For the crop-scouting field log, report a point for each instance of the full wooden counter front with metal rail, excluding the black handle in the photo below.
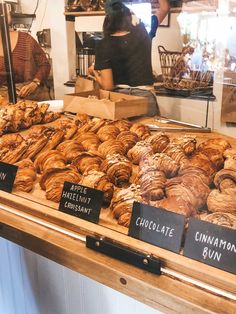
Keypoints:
(185, 285)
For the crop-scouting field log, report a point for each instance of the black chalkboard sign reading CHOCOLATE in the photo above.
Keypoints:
(157, 226)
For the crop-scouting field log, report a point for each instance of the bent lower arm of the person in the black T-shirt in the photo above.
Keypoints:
(103, 77)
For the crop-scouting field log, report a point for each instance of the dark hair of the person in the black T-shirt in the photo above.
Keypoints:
(119, 20)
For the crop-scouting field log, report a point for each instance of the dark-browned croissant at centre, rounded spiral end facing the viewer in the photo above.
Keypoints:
(118, 168)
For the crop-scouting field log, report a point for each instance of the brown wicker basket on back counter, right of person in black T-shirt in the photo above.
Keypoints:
(176, 73)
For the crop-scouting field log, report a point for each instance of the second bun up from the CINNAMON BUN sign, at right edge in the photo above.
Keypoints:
(221, 202)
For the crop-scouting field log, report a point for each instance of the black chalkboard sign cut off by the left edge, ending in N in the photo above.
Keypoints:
(7, 176)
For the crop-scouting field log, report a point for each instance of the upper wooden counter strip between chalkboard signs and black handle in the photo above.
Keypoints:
(194, 269)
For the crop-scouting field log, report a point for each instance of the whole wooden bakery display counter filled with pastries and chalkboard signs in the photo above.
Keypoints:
(143, 205)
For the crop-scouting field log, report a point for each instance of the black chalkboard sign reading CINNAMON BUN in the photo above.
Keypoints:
(211, 244)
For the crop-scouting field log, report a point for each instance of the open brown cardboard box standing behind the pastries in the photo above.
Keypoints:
(105, 104)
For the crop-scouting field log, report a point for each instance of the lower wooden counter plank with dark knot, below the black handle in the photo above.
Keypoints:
(160, 292)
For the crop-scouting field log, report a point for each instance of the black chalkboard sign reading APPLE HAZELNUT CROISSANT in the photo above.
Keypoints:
(81, 201)
